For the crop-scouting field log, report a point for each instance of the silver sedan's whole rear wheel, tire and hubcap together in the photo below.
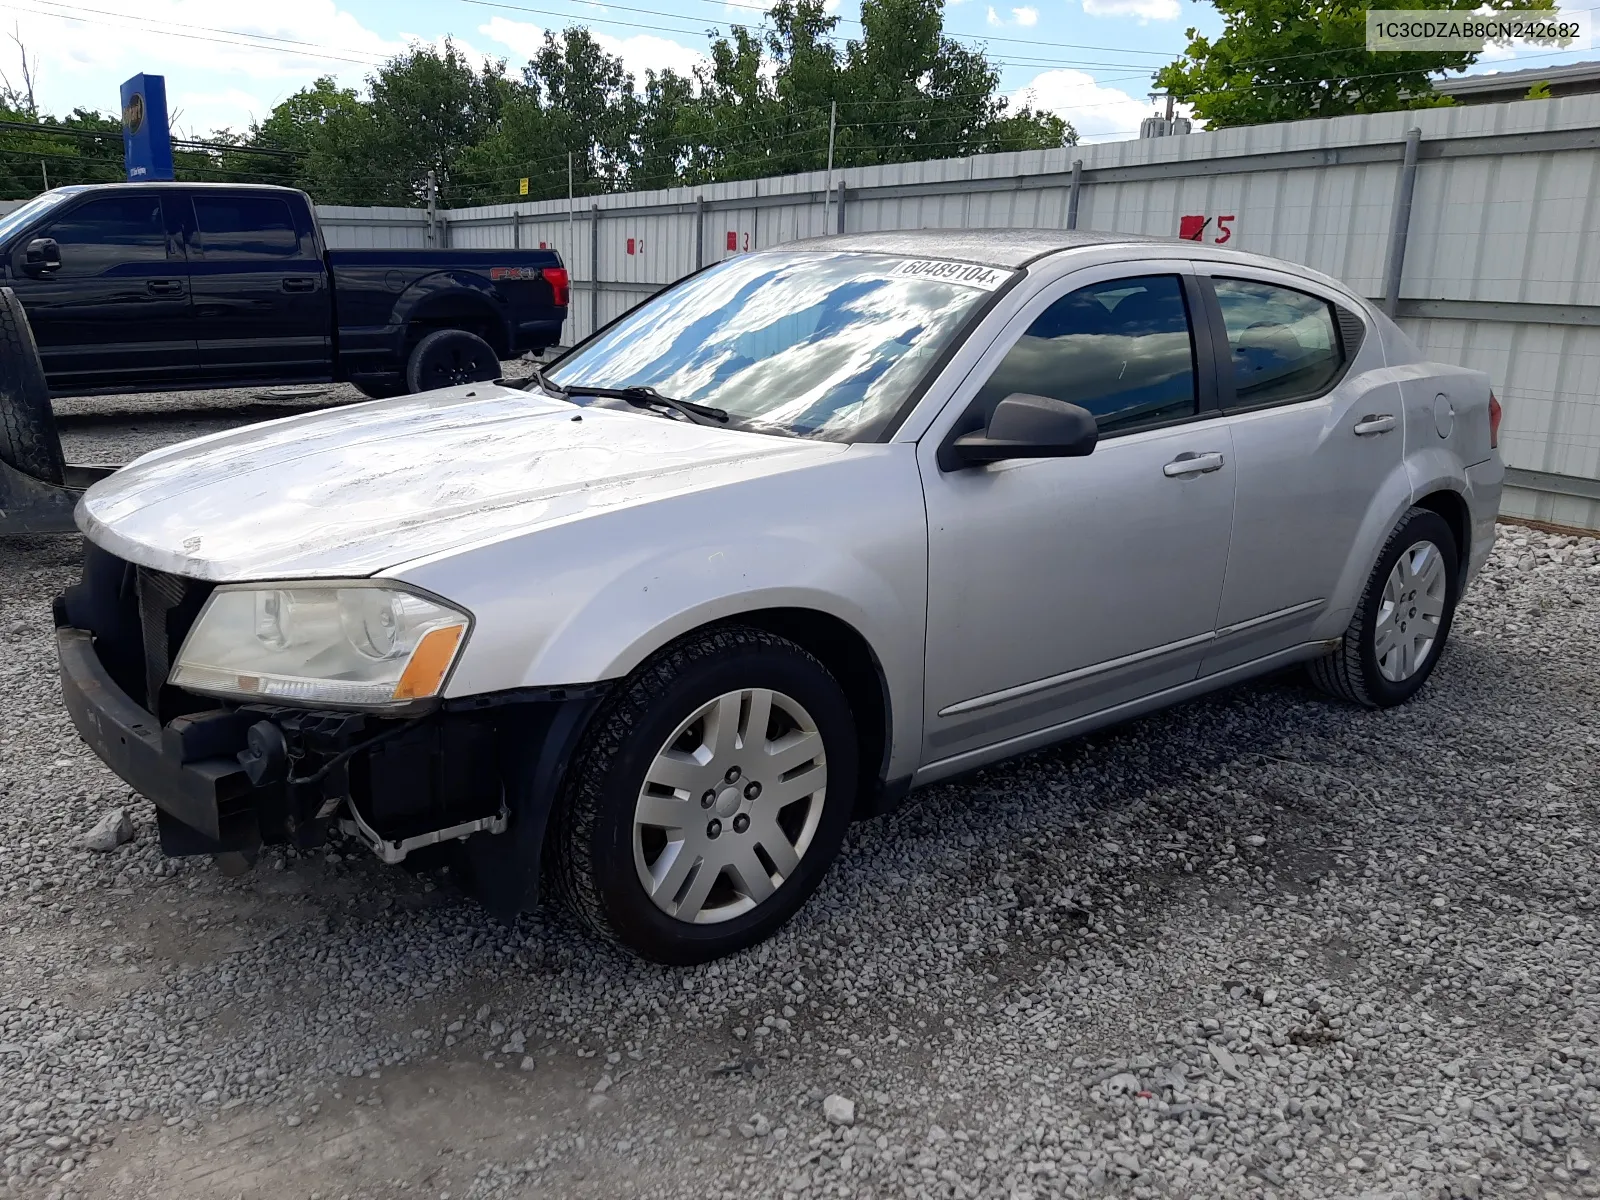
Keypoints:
(1399, 630)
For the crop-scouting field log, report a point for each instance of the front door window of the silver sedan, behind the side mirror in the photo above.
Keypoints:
(1122, 350)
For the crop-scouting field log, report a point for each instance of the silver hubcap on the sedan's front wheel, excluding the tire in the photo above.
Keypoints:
(730, 806)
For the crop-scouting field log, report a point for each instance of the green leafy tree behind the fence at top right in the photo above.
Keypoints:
(1294, 60)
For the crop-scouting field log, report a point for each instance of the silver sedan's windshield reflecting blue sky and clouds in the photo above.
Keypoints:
(807, 345)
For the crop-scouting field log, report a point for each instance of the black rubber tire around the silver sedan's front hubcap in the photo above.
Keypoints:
(593, 841)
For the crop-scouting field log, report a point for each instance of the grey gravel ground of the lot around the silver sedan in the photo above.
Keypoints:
(1260, 946)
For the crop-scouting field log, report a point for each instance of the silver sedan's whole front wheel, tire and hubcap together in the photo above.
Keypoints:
(710, 798)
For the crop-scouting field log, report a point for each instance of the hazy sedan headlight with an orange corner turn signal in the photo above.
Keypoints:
(370, 647)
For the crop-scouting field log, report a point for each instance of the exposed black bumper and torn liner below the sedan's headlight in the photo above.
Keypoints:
(479, 775)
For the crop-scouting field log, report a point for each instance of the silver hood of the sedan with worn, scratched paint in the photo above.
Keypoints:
(350, 492)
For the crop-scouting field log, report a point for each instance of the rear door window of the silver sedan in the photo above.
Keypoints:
(1284, 343)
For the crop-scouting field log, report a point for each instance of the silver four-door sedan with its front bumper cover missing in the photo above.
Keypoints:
(807, 530)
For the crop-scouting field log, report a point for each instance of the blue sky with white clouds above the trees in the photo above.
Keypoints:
(228, 63)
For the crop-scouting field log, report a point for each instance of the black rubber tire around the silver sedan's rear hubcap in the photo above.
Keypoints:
(1353, 673)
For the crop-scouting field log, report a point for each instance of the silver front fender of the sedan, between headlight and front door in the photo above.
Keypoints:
(591, 599)
